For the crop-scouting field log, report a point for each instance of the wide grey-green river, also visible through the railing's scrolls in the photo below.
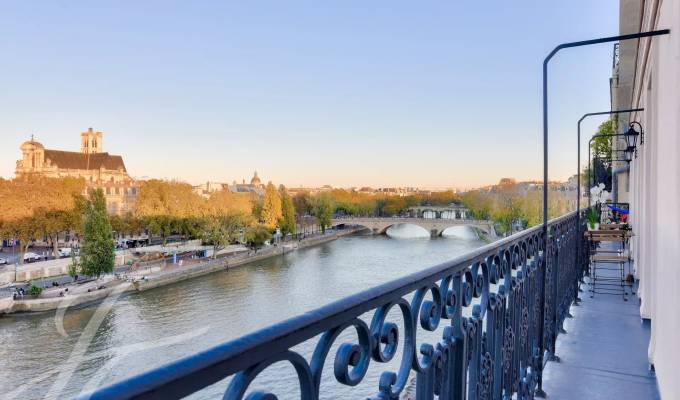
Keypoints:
(145, 330)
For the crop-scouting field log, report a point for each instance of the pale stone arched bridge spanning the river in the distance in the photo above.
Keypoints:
(435, 226)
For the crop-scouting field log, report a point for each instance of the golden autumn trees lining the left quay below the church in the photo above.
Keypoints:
(36, 208)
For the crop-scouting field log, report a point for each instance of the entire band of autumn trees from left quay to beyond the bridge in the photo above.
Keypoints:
(35, 207)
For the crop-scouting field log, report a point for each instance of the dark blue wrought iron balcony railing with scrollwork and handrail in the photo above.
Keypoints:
(499, 310)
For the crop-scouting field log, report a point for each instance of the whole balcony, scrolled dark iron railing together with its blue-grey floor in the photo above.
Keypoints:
(499, 322)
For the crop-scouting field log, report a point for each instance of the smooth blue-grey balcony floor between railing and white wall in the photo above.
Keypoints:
(603, 355)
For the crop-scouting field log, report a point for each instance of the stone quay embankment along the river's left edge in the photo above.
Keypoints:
(155, 276)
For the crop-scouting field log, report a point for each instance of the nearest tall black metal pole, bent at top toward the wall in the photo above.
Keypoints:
(545, 144)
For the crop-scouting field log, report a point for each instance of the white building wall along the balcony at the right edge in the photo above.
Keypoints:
(648, 76)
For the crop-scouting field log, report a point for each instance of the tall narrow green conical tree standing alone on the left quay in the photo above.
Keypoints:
(97, 254)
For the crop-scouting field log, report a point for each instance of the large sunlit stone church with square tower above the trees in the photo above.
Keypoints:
(98, 168)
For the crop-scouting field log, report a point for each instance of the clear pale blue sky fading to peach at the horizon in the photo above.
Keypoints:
(348, 93)
